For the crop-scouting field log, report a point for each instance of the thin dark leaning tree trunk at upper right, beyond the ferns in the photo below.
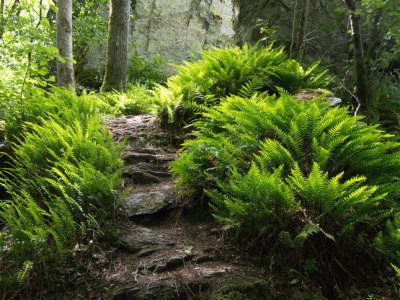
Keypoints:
(359, 59)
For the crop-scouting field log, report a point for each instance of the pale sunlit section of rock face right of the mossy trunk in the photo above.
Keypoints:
(177, 29)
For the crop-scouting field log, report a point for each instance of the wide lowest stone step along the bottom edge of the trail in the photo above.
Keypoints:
(211, 282)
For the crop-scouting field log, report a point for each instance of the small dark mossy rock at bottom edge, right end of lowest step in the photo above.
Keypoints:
(254, 289)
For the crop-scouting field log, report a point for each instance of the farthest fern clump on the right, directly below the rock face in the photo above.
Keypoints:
(232, 71)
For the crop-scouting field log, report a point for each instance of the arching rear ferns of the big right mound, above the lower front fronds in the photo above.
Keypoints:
(282, 132)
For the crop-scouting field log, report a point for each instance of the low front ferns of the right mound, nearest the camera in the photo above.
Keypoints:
(260, 199)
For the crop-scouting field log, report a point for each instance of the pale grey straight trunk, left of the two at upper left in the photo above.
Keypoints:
(65, 69)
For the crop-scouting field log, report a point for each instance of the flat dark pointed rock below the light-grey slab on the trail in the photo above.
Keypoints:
(143, 241)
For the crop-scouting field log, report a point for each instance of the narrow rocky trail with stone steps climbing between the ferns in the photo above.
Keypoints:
(165, 248)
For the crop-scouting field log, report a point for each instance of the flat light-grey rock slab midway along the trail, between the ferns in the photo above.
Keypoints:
(146, 203)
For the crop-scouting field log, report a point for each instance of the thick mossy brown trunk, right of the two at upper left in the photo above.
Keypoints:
(117, 48)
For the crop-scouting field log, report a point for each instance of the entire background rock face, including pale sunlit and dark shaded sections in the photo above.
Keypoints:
(178, 29)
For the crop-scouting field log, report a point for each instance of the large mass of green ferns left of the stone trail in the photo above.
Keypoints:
(62, 180)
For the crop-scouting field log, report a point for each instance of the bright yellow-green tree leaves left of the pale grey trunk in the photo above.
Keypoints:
(25, 59)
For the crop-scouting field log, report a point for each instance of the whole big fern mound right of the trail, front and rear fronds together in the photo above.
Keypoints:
(275, 165)
